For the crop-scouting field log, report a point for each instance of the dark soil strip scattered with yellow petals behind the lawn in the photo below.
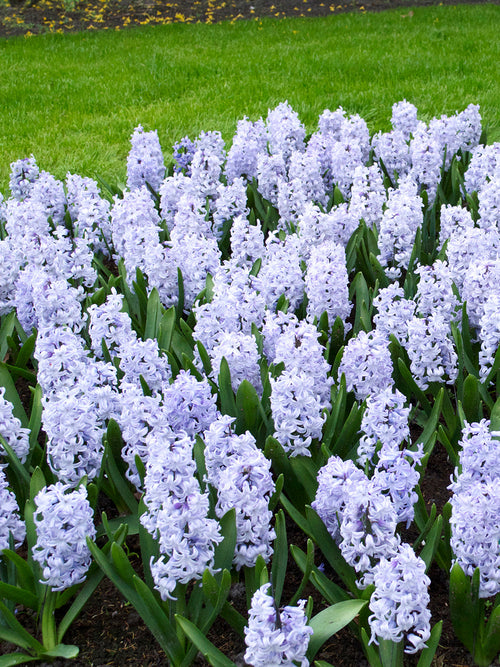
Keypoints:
(31, 17)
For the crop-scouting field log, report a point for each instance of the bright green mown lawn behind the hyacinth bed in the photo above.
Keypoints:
(74, 100)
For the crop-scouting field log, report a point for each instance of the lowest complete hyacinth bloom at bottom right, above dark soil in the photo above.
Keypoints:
(399, 603)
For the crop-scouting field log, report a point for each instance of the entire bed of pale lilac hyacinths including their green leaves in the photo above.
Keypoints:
(284, 328)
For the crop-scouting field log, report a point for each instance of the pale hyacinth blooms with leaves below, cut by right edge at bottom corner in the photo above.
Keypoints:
(475, 542)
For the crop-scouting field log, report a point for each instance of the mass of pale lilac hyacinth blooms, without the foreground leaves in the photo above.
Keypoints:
(267, 275)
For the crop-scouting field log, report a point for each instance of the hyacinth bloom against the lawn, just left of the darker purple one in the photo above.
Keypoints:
(145, 160)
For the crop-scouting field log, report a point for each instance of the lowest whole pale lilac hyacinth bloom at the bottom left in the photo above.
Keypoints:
(63, 520)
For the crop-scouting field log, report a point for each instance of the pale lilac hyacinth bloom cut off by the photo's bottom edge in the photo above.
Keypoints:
(270, 644)
